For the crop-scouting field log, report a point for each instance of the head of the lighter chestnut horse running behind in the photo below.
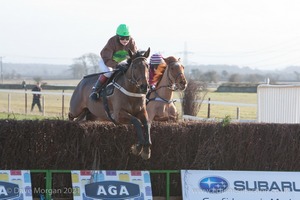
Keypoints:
(176, 73)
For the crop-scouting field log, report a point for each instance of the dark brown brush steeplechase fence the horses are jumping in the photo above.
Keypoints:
(49, 145)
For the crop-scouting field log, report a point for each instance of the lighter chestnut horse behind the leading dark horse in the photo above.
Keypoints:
(169, 77)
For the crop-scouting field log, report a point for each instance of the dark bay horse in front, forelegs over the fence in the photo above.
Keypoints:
(126, 104)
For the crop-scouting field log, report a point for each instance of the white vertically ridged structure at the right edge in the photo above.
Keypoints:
(278, 103)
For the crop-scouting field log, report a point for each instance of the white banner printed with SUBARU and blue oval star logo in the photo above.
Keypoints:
(240, 185)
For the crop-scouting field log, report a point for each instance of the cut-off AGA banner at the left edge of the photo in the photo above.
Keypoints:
(15, 185)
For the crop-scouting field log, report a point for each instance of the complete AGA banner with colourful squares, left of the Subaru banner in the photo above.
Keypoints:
(90, 185)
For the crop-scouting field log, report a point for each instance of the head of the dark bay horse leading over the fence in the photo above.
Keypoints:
(138, 71)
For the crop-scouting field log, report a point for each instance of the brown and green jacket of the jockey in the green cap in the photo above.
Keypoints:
(114, 52)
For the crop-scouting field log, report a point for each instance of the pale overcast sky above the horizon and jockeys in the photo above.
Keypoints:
(263, 34)
